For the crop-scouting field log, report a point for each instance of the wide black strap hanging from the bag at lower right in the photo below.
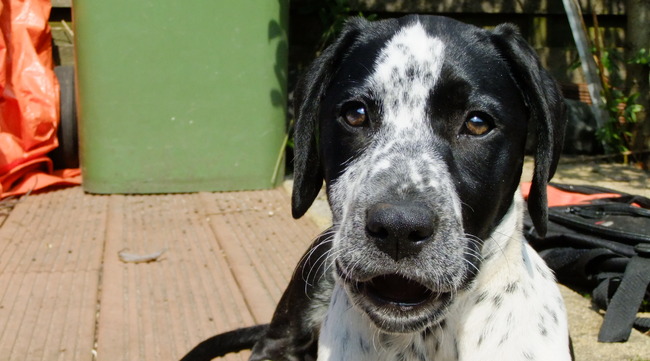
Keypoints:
(624, 305)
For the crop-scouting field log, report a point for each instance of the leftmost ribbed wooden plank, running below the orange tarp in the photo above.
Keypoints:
(50, 257)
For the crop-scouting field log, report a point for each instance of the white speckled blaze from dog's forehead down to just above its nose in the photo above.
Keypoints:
(401, 156)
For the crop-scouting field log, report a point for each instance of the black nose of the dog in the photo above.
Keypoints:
(400, 229)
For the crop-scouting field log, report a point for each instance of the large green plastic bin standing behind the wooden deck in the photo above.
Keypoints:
(180, 96)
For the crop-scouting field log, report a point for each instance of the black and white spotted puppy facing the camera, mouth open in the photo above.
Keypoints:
(418, 126)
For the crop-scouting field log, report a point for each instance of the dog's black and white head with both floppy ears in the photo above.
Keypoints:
(418, 127)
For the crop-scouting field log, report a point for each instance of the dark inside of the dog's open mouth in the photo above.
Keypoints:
(398, 289)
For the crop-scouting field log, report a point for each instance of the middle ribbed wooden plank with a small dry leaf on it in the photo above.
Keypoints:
(159, 310)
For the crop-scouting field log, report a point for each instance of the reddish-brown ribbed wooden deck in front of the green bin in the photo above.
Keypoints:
(65, 294)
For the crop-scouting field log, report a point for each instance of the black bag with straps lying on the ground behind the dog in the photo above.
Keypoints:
(601, 247)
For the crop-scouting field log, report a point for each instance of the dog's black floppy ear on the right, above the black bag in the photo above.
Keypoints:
(546, 111)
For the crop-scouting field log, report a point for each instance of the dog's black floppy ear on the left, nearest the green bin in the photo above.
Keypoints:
(308, 173)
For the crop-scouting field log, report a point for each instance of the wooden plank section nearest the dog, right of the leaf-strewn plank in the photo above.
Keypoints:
(261, 241)
